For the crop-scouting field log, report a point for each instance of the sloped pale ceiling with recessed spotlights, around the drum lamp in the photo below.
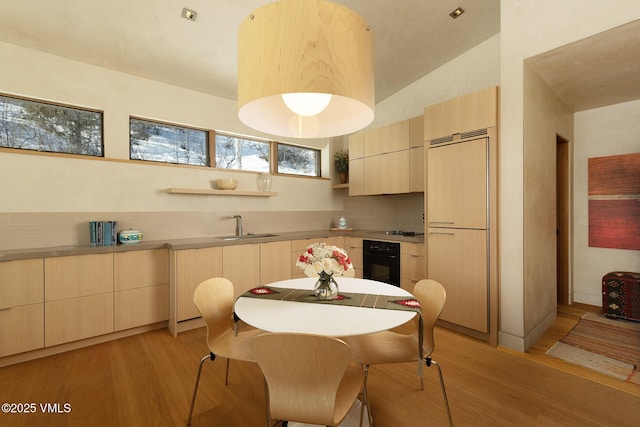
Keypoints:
(150, 39)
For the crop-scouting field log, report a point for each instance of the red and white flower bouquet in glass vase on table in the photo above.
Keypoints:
(324, 261)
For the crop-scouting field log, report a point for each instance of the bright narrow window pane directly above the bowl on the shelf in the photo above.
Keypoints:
(242, 154)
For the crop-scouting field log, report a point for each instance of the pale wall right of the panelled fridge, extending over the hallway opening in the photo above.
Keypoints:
(527, 29)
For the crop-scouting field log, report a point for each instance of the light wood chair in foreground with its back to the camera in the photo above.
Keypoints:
(308, 378)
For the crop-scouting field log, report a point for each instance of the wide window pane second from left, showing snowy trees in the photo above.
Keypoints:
(158, 142)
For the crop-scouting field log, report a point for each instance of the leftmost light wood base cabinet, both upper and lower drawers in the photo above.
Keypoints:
(21, 306)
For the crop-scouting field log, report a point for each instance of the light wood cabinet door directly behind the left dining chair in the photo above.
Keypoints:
(190, 268)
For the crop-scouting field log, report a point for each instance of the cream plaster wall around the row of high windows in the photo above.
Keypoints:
(49, 184)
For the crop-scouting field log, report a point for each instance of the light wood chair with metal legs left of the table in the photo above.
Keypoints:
(214, 299)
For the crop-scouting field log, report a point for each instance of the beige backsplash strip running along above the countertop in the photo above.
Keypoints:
(38, 230)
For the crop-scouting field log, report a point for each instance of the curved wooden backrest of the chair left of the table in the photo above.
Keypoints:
(214, 300)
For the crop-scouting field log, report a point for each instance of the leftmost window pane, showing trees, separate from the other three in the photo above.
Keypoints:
(31, 125)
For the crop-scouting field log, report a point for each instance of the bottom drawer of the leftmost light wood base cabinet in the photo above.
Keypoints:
(21, 329)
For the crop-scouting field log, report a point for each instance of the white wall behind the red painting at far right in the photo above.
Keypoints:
(599, 132)
